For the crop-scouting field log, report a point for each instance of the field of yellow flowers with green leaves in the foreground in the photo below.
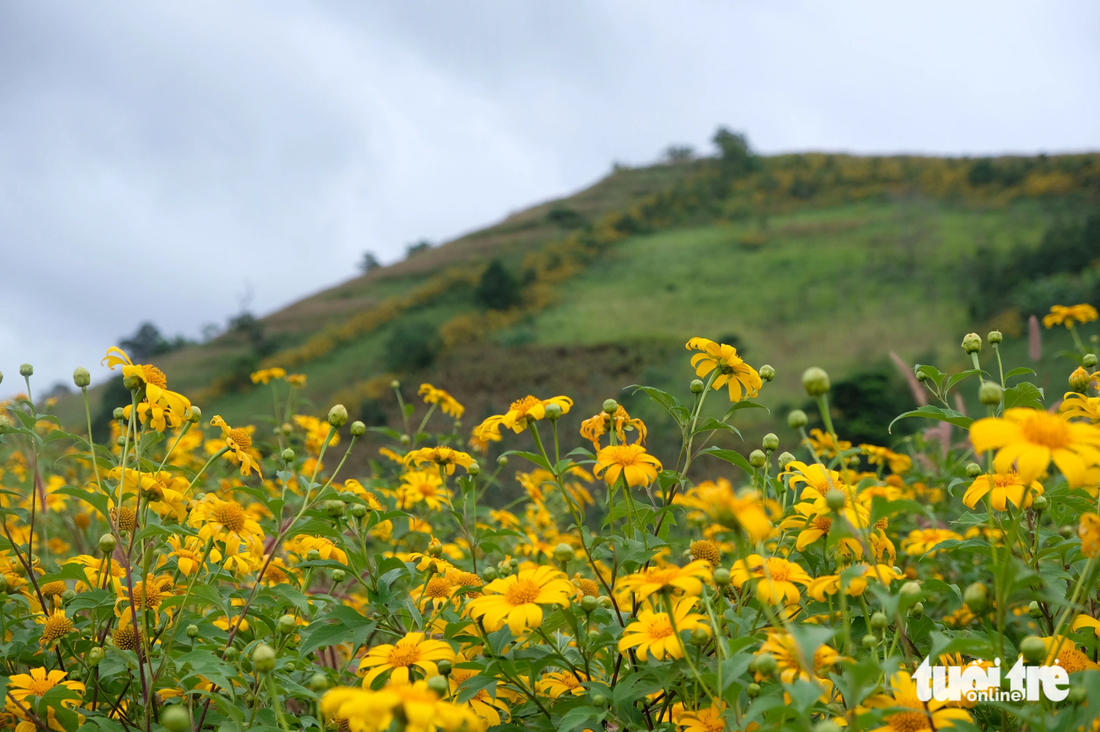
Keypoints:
(194, 575)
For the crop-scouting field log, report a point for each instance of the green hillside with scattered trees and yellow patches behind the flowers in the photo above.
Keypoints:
(799, 260)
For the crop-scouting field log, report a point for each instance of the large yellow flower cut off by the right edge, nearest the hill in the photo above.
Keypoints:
(1031, 439)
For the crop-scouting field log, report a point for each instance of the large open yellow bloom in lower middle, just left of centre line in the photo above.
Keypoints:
(516, 599)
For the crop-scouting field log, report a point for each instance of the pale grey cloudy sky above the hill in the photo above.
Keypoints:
(173, 162)
